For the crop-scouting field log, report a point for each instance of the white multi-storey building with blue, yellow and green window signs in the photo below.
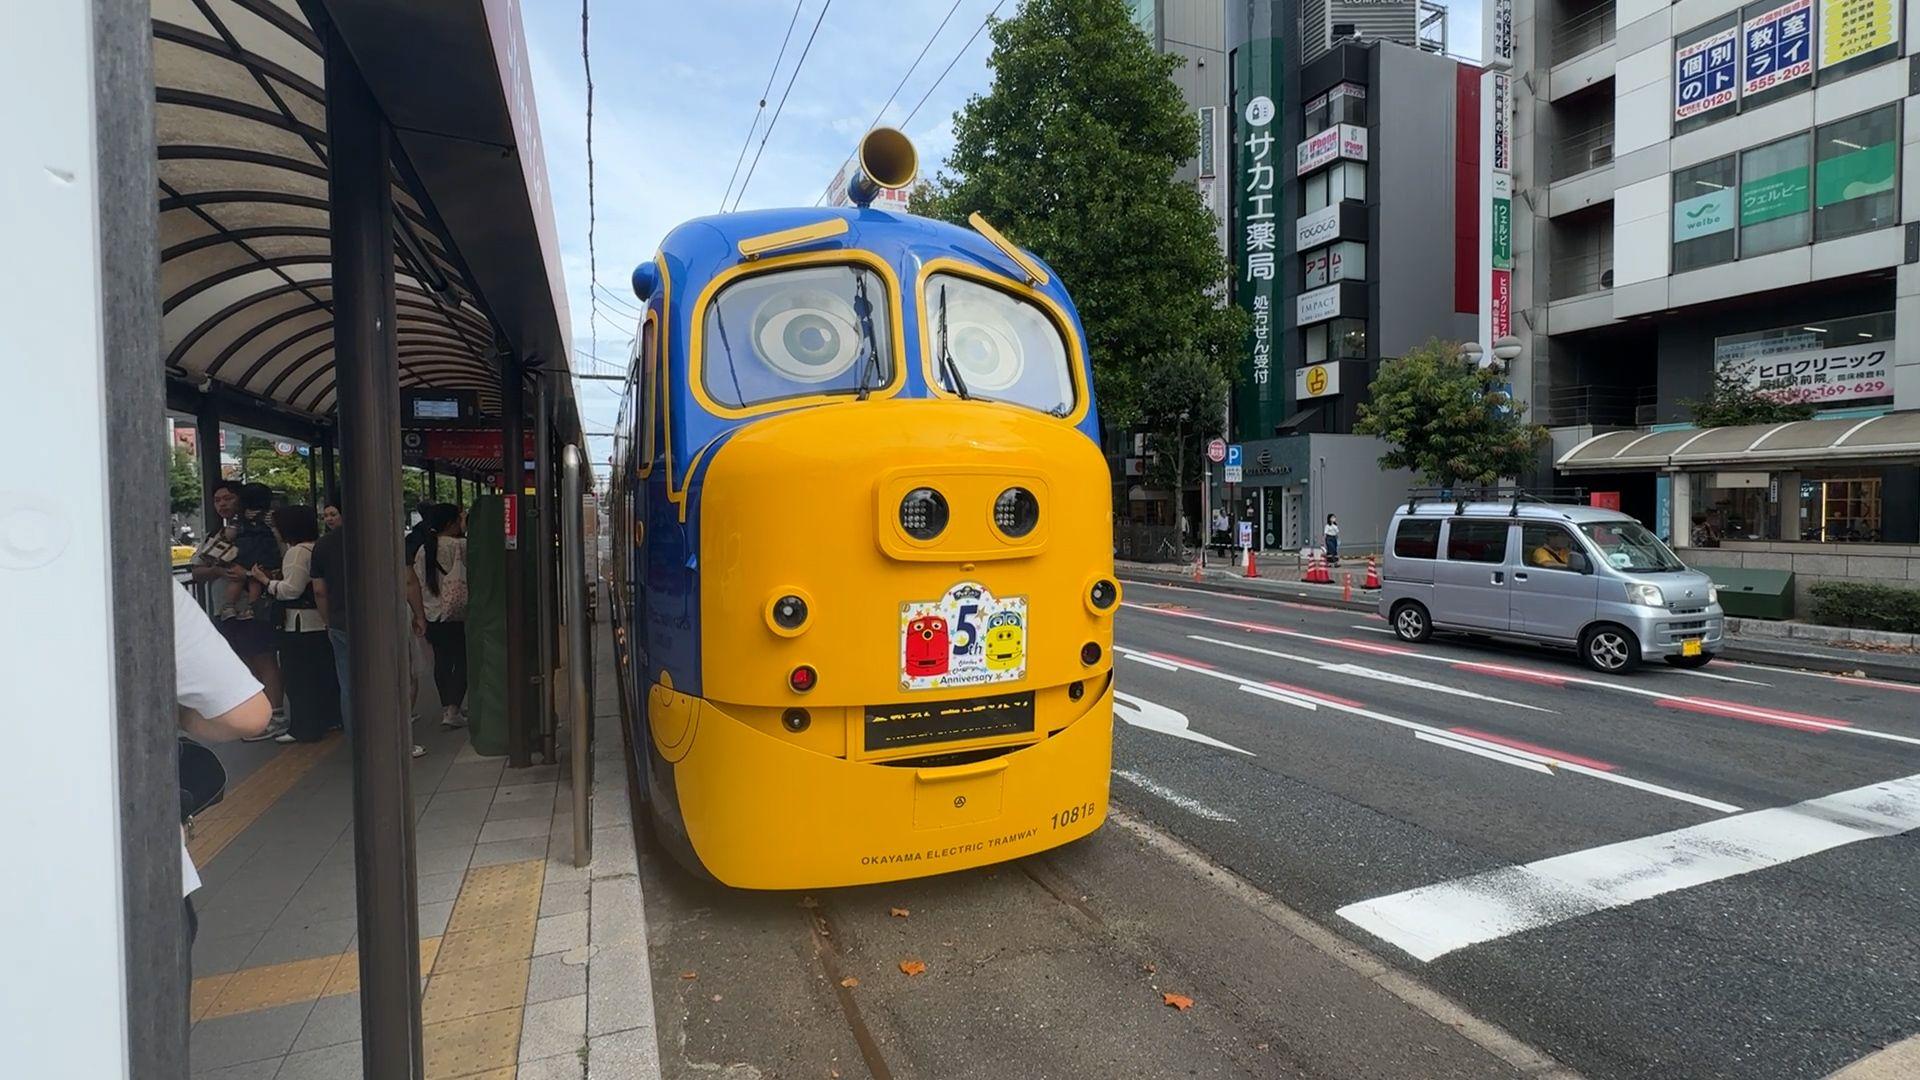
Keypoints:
(1727, 191)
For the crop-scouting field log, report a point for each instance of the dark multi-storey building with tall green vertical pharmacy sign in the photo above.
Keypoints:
(1353, 239)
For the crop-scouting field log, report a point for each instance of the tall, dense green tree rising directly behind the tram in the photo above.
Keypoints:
(1072, 153)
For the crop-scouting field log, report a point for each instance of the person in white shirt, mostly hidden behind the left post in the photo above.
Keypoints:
(220, 702)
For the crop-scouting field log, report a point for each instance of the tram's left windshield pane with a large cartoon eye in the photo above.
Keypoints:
(798, 333)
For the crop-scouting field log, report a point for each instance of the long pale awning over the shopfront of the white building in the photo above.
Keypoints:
(1800, 443)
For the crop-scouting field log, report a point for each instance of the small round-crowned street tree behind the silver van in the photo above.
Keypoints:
(1449, 420)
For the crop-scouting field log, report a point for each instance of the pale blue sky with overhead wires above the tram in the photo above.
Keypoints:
(679, 84)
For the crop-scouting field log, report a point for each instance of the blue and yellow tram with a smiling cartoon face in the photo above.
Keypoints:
(867, 597)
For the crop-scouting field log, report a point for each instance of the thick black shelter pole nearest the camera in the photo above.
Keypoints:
(368, 370)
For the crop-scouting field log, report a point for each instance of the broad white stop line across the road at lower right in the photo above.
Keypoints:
(1433, 921)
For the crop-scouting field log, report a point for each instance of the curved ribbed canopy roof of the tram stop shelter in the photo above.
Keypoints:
(247, 278)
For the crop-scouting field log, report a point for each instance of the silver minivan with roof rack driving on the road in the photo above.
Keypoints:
(1564, 576)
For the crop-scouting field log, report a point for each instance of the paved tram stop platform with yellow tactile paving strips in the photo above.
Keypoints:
(531, 966)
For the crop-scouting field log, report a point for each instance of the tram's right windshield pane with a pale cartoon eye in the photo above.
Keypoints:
(996, 347)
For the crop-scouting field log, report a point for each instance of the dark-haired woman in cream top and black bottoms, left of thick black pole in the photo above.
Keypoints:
(306, 656)
